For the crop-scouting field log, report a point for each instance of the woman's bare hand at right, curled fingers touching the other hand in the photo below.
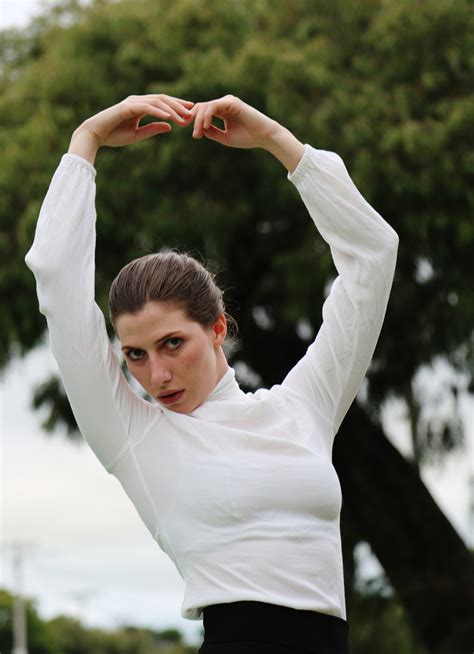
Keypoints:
(244, 126)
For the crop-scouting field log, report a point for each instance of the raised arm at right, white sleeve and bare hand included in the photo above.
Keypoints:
(362, 244)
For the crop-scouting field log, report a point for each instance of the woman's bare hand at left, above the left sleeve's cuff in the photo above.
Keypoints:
(120, 124)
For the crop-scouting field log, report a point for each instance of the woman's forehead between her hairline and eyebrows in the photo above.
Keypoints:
(154, 321)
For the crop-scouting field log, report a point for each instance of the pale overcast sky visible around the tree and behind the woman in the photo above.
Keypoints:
(88, 553)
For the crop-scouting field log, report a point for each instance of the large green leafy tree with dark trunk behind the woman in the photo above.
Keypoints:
(388, 85)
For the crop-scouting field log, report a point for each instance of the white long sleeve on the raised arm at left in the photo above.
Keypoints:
(62, 260)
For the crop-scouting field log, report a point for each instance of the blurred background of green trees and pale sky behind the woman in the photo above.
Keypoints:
(388, 84)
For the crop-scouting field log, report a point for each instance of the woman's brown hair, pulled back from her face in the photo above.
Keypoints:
(173, 277)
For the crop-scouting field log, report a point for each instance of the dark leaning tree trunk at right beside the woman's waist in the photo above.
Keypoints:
(426, 561)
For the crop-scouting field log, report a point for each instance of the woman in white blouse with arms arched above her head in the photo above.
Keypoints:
(238, 489)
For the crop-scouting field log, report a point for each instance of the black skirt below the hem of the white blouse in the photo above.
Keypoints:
(261, 628)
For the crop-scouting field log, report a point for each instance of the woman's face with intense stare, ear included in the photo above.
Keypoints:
(175, 359)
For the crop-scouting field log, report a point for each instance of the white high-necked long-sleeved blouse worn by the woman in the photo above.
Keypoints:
(241, 494)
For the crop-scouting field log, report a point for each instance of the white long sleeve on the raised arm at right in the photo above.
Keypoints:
(364, 248)
